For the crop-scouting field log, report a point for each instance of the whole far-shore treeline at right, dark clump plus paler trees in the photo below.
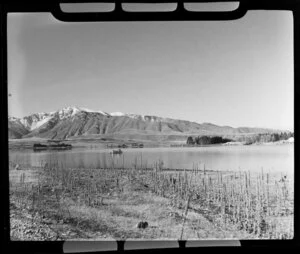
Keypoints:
(249, 139)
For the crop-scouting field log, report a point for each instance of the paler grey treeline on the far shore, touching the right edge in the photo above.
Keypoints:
(265, 137)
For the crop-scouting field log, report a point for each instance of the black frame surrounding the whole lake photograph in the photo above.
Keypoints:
(180, 14)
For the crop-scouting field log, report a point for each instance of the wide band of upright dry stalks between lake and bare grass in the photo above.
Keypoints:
(251, 202)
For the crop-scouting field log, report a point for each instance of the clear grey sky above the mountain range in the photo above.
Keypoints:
(236, 73)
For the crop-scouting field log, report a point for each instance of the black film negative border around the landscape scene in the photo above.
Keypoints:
(118, 15)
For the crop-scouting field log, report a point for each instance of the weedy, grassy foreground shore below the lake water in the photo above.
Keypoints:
(53, 202)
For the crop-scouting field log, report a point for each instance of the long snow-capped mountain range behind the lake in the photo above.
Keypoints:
(81, 122)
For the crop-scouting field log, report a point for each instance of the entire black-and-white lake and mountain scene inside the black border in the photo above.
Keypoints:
(164, 130)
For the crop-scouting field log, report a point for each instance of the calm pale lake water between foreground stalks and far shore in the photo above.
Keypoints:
(279, 158)
